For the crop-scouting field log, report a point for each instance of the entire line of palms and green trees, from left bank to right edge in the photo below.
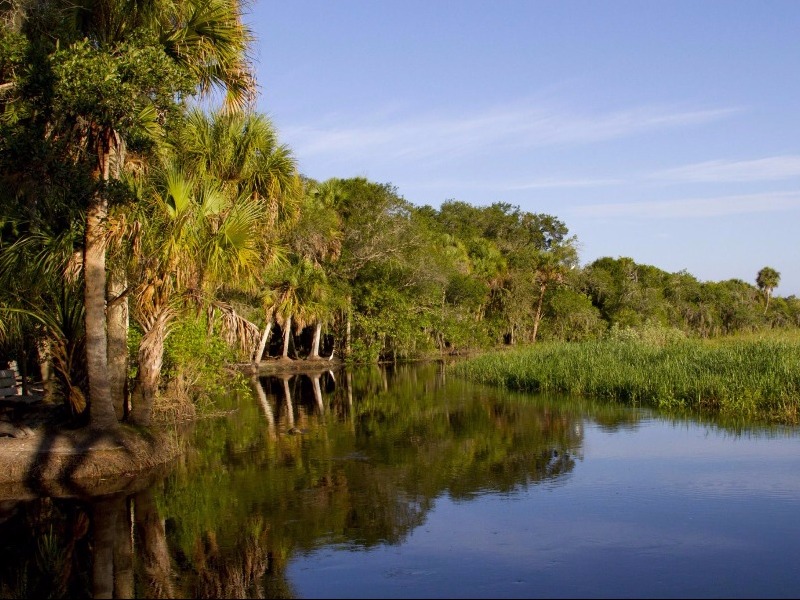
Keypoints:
(132, 219)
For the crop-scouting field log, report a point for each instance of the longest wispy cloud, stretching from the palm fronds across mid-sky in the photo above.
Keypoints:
(412, 138)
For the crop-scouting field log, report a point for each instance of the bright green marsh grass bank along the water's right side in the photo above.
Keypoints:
(755, 377)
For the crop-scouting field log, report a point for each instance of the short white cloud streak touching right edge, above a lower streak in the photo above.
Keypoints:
(720, 171)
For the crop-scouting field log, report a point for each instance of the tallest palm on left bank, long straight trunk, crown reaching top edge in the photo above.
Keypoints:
(117, 68)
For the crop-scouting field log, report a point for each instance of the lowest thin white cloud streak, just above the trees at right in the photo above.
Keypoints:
(695, 207)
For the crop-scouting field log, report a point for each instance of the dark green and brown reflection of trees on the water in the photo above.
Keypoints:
(356, 459)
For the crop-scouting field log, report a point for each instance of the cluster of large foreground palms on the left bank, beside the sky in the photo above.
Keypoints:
(123, 199)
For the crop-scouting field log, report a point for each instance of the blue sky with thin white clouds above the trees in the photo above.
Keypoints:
(667, 132)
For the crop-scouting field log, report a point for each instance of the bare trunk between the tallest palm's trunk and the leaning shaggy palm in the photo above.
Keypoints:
(118, 321)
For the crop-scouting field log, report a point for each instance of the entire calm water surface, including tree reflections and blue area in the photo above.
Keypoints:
(406, 482)
